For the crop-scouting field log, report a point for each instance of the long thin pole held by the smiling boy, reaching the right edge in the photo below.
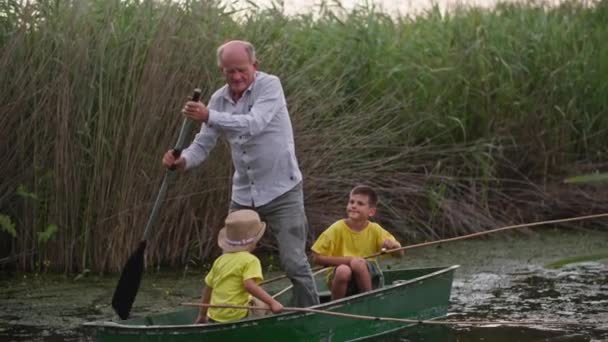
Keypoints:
(424, 244)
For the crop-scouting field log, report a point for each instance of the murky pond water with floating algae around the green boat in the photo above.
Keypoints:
(503, 278)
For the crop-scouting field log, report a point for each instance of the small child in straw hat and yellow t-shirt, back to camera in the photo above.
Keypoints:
(234, 276)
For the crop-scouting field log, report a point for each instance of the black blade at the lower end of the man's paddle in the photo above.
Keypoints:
(129, 281)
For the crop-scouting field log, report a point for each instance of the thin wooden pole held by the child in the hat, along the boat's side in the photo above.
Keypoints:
(389, 319)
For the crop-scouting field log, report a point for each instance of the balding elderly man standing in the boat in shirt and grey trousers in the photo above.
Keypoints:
(251, 112)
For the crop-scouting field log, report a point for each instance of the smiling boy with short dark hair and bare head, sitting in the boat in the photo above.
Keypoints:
(346, 242)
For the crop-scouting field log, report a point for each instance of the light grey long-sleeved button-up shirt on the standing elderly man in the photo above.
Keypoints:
(259, 131)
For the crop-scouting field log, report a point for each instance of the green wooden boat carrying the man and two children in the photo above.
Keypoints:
(420, 294)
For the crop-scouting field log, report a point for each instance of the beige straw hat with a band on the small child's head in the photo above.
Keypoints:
(242, 229)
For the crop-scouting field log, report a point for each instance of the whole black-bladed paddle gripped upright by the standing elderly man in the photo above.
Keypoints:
(130, 278)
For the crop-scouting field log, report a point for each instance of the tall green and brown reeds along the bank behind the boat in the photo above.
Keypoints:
(463, 121)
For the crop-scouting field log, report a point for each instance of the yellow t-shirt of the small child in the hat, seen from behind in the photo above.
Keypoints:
(226, 279)
